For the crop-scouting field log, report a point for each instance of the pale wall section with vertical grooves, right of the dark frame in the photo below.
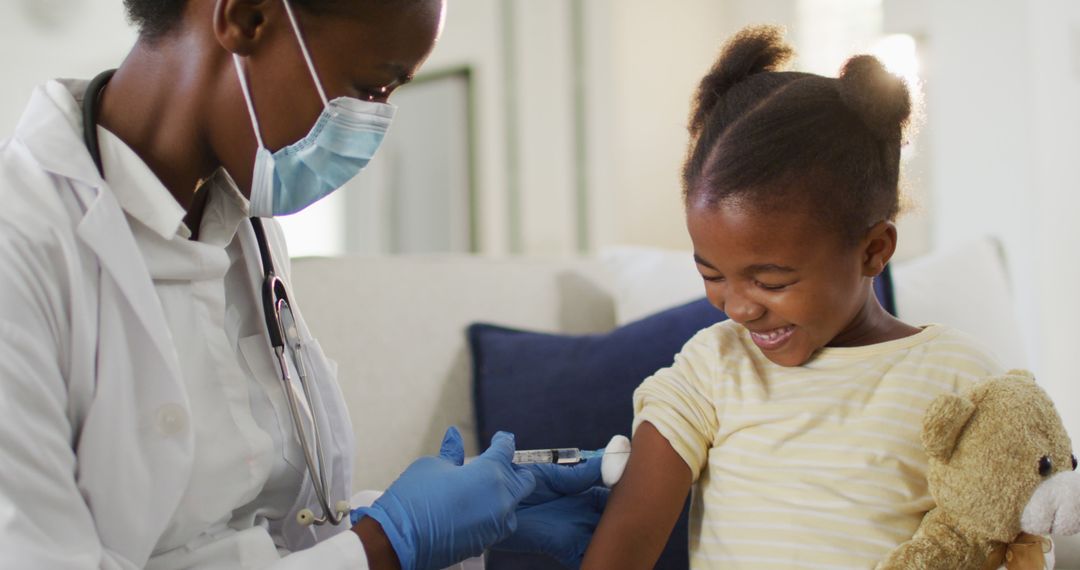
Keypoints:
(520, 52)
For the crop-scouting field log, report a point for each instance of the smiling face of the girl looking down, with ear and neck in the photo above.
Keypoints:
(795, 286)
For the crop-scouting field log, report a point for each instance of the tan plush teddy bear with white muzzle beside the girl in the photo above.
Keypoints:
(1003, 474)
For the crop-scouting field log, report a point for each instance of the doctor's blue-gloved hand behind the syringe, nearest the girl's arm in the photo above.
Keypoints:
(560, 518)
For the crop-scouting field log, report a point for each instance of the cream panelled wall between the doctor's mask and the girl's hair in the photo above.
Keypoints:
(640, 71)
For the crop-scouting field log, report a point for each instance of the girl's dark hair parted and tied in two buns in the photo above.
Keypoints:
(774, 139)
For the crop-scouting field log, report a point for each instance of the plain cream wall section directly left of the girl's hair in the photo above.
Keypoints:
(640, 90)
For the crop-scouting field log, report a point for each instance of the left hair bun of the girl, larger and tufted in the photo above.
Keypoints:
(754, 50)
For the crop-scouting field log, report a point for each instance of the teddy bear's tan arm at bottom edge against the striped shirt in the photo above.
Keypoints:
(936, 546)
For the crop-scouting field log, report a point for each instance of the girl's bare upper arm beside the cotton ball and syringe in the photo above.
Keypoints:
(644, 506)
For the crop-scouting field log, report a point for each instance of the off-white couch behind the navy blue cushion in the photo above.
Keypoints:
(396, 325)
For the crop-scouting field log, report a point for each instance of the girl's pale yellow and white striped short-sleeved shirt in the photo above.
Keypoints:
(818, 466)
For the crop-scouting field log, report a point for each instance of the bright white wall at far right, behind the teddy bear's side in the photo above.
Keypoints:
(1004, 91)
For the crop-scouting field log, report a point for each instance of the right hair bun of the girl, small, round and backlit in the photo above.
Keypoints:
(879, 98)
